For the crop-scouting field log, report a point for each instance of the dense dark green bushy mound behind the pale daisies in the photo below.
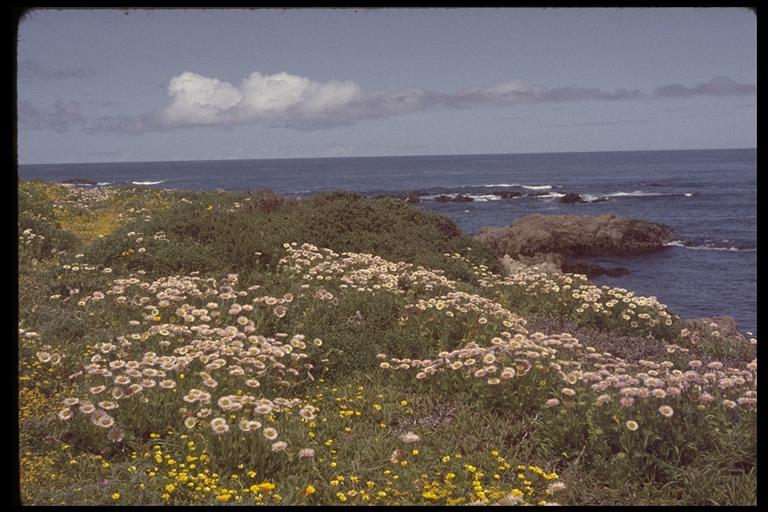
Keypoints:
(244, 232)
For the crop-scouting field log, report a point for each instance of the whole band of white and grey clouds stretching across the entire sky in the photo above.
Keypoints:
(300, 103)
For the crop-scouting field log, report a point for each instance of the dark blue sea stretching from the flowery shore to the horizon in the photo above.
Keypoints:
(708, 197)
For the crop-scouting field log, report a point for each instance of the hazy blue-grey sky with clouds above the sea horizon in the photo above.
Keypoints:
(101, 85)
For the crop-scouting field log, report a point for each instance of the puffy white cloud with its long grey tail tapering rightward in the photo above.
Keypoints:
(301, 103)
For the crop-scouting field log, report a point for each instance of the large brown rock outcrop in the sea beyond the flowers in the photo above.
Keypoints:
(576, 235)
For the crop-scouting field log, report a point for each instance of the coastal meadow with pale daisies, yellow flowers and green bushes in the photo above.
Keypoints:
(205, 348)
